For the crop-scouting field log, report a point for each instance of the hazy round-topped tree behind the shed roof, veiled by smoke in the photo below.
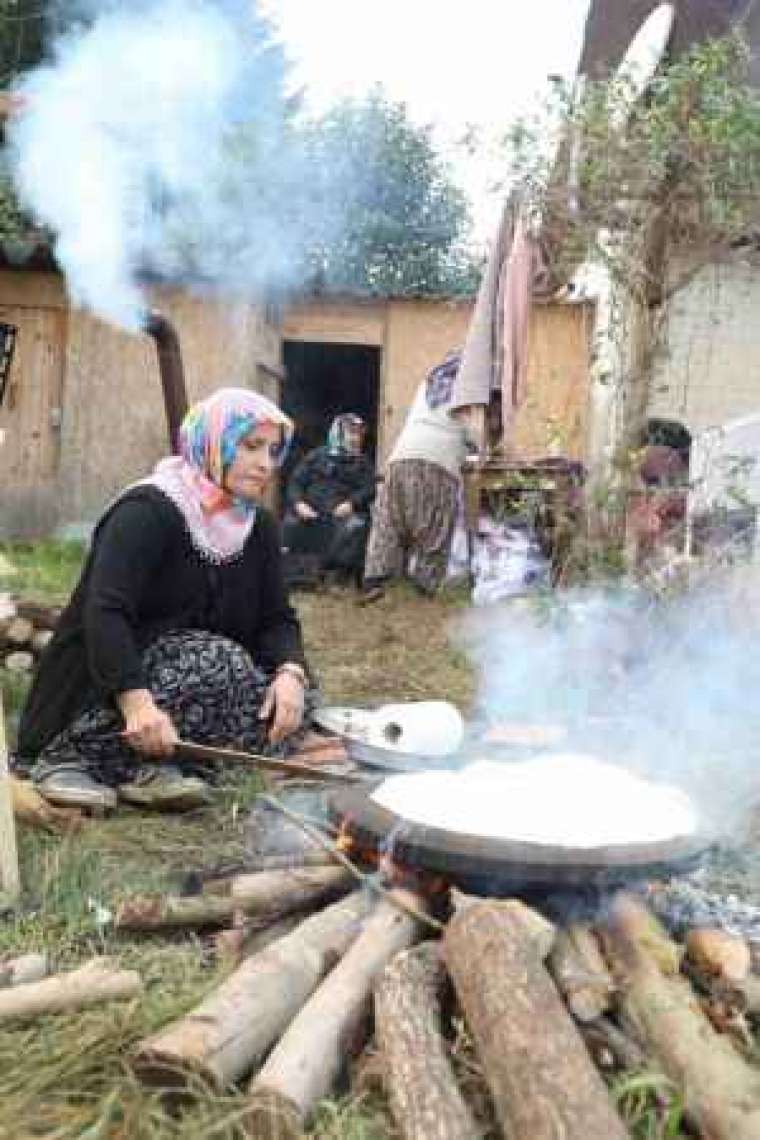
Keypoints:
(404, 223)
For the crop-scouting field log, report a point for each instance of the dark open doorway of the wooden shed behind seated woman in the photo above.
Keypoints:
(322, 381)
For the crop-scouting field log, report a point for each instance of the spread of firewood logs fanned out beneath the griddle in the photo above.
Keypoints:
(551, 1012)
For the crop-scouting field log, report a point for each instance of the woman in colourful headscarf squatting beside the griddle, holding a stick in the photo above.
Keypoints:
(179, 628)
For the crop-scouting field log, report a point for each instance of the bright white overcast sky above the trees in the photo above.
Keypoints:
(480, 63)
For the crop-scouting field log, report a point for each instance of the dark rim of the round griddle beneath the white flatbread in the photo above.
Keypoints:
(497, 866)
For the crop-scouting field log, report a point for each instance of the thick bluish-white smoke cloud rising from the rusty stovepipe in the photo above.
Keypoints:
(159, 140)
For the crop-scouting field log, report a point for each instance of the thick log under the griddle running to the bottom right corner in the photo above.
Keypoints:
(722, 1093)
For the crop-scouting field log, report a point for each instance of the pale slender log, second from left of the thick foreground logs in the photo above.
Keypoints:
(308, 1061)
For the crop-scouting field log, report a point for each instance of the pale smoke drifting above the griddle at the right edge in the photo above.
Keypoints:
(668, 690)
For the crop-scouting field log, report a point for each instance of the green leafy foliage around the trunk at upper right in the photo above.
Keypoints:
(679, 170)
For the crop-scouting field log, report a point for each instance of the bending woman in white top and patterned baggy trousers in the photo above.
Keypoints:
(416, 509)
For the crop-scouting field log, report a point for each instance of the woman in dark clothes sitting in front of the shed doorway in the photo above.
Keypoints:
(329, 501)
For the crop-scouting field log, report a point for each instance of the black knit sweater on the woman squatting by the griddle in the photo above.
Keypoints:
(144, 579)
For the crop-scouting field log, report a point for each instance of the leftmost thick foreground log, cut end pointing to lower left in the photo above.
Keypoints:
(234, 1028)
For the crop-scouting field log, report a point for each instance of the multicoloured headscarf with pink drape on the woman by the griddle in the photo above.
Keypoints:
(194, 481)
